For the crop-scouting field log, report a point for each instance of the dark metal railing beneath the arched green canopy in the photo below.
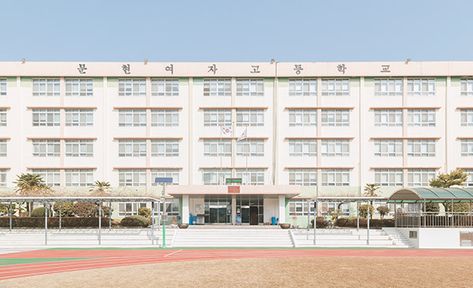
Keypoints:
(432, 219)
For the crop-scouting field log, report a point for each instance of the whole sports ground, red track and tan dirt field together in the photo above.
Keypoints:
(236, 268)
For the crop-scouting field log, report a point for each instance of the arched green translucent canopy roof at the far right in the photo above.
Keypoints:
(432, 194)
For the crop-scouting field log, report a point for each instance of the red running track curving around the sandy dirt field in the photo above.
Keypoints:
(113, 258)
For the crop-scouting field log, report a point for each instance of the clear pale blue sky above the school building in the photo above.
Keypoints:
(238, 30)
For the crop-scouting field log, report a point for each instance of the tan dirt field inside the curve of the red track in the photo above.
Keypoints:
(275, 272)
